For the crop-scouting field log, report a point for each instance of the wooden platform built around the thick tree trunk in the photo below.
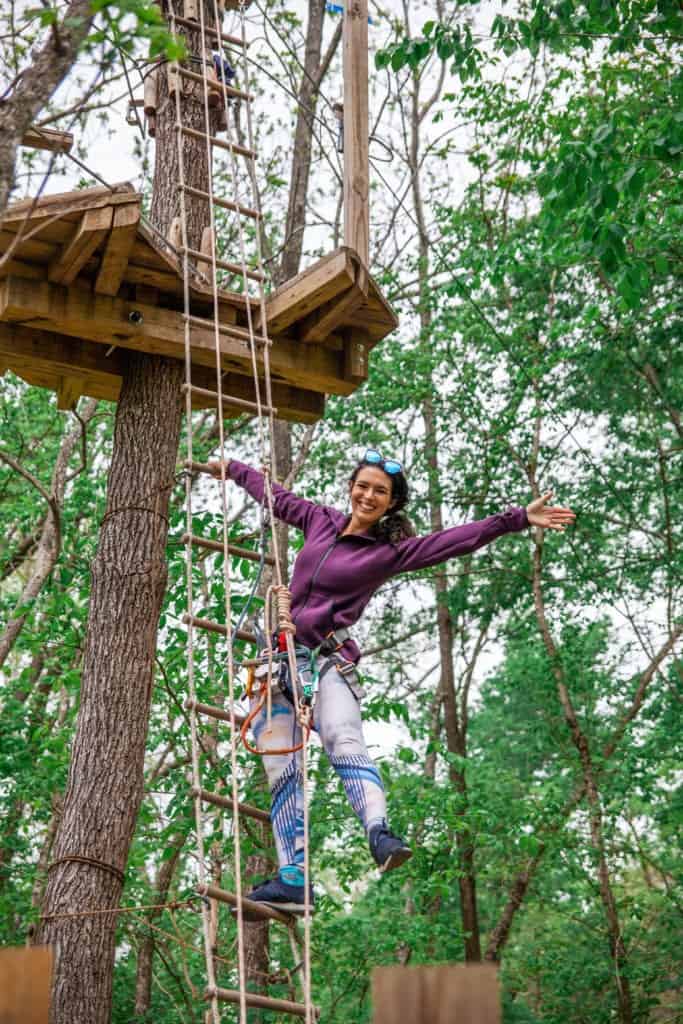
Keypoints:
(87, 279)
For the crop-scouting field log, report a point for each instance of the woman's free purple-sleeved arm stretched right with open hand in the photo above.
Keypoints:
(421, 552)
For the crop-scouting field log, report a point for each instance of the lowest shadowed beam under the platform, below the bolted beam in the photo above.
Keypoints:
(47, 360)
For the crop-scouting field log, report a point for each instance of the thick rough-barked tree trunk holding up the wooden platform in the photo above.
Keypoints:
(106, 779)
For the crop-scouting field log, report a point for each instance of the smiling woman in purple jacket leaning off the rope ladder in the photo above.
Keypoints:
(345, 561)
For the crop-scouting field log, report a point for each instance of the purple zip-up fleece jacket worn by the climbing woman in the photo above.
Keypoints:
(335, 577)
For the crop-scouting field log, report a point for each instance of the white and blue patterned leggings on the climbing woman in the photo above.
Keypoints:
(337, 720)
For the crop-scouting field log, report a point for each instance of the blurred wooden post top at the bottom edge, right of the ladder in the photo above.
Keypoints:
(446, 995)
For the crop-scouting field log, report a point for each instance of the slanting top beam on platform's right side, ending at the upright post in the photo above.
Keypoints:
(319, 284)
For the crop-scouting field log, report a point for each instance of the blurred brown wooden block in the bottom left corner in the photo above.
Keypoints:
(26, 974)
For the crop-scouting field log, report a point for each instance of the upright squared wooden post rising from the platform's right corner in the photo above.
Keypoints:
(357, 130)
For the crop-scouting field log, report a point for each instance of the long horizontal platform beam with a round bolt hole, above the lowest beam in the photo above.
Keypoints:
(104, 319)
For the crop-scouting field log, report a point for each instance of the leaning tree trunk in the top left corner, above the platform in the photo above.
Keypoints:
(37, 83)
